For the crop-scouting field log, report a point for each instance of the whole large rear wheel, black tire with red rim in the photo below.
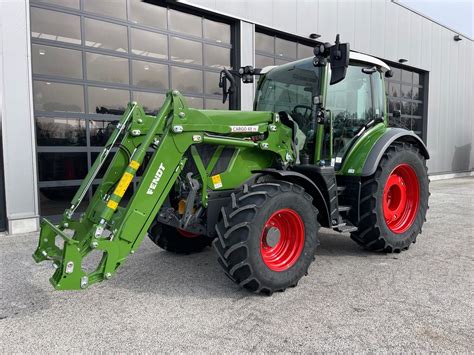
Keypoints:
(394, 201)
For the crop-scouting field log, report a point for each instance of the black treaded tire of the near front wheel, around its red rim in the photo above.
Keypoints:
(240, 234)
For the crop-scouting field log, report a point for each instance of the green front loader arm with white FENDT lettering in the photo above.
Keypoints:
(115, 226)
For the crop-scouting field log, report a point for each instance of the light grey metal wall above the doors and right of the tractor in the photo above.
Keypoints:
(387, 30)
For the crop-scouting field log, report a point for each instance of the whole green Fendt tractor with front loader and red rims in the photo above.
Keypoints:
(316, 152)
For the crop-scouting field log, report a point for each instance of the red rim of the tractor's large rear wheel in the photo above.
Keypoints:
(401, 196)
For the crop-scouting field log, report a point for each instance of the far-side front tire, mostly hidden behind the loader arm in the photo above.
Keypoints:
(170, 239)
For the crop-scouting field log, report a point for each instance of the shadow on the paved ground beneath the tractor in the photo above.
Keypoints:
(199, 275)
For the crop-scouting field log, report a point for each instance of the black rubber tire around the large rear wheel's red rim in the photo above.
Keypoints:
(373, 231)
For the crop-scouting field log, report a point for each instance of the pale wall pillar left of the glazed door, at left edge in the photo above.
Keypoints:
(19, 147)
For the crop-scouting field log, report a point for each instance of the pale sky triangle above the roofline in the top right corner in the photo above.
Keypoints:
(456, 14)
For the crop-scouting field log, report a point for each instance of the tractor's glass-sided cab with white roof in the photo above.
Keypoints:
(342, 110)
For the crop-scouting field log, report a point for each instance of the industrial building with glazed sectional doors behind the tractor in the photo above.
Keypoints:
(66, 66)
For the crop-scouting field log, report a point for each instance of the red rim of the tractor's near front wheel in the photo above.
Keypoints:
(287, 227)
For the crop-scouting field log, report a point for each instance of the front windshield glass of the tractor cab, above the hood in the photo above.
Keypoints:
(289, 88)
